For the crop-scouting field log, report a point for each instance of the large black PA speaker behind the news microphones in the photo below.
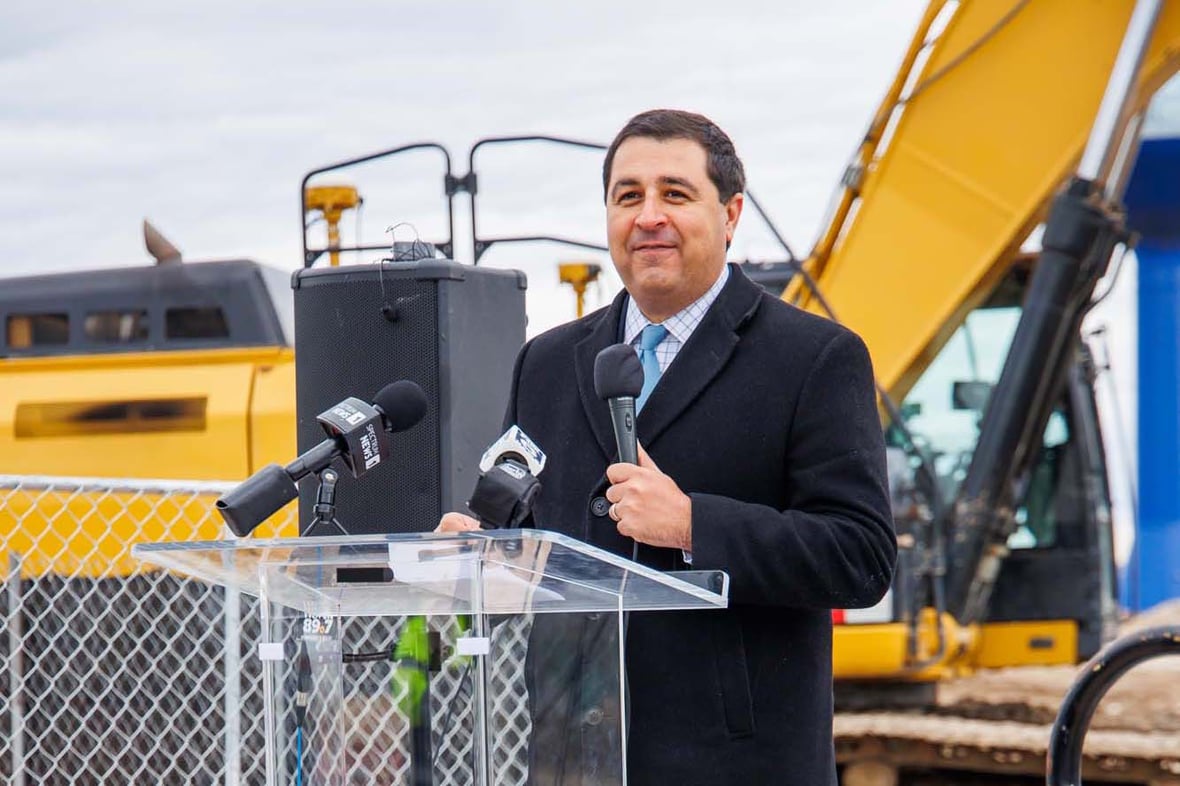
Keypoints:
(455, 330)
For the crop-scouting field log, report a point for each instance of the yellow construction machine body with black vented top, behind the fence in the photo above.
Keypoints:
(178, 371)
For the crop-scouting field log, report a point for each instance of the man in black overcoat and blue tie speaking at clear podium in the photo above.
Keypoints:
(762, 455)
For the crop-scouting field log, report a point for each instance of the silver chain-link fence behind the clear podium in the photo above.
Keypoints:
(116, 673)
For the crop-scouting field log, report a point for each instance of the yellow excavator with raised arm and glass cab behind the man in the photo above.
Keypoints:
(1006, 120)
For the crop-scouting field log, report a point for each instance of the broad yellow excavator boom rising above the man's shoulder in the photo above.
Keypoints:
(982, 126)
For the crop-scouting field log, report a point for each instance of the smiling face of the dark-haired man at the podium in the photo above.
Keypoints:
(666, 225)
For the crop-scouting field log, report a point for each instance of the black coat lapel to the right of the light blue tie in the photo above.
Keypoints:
(707, 352)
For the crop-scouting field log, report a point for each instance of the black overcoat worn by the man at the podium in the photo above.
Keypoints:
(768, 420)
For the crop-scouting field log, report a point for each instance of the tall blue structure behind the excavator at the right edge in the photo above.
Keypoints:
(1153, 207)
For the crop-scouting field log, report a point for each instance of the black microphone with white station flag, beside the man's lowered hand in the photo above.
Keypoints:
(506, 492)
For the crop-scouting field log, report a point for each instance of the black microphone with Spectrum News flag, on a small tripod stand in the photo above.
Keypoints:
(358, 433)
